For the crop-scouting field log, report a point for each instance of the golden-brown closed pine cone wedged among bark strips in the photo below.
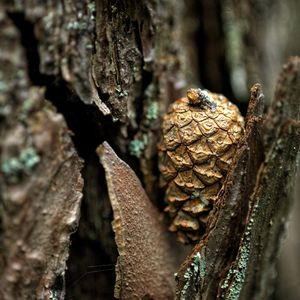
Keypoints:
(200, 136)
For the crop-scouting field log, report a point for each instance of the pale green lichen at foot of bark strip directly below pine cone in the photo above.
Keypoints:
(194, 275)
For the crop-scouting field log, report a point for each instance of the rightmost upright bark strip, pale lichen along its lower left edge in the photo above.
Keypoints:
(253, 274)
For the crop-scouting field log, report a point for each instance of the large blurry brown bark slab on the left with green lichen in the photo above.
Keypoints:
(40, 182)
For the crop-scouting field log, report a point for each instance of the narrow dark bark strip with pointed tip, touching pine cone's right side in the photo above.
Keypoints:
(218, 247)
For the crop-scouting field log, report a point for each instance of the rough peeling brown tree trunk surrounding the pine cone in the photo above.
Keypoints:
(78, 74)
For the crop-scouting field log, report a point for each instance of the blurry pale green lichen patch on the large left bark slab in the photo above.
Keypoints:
(15, 166)
